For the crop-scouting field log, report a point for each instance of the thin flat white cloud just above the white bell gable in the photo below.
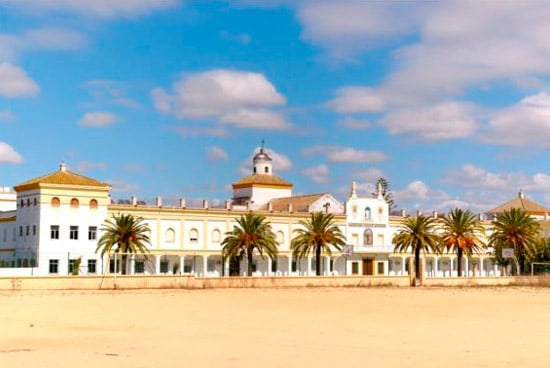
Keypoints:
(345, 154)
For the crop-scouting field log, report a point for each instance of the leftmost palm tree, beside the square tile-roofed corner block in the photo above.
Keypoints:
(124, 234)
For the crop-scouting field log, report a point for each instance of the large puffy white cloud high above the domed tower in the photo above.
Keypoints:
(237, 98)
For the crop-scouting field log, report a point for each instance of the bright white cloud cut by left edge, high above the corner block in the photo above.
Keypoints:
(14, 82)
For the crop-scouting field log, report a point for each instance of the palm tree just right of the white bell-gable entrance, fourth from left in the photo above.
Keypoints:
(417, 235)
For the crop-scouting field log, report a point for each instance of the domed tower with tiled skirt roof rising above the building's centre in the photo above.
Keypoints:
(262, 186)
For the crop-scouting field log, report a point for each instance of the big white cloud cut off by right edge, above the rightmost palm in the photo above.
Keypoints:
(526, 123)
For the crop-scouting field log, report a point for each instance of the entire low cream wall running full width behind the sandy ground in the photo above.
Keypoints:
(129, 282)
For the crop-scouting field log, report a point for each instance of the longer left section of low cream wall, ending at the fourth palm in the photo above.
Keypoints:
(189, 282)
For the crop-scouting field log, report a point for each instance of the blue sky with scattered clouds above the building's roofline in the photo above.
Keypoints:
(447, 100)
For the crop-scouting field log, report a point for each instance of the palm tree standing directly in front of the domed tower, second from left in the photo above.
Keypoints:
(252, 232)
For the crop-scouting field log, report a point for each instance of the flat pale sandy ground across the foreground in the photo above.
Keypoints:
(368, 327)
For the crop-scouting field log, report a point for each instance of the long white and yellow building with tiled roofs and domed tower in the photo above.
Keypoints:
(52, 221)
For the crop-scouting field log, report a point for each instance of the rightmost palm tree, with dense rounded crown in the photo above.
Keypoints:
(516, 229)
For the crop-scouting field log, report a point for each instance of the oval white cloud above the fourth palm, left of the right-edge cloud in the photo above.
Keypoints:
(446, 120)
